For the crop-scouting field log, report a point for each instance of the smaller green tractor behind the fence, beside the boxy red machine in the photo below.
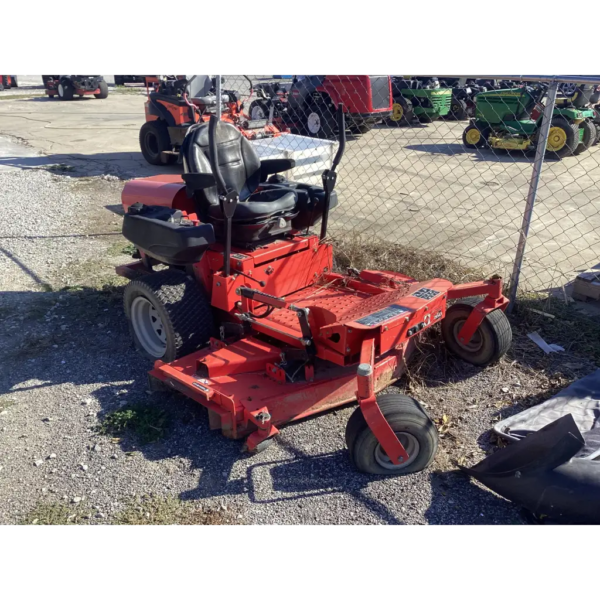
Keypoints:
(415, 99)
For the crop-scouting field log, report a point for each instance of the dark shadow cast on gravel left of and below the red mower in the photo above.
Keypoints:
(79, 337)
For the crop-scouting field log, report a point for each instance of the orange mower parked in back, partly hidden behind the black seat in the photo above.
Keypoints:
(176, 102)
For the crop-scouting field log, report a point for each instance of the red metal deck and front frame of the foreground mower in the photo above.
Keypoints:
(270, 377)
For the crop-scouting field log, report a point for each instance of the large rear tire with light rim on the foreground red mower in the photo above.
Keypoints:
(169, 315)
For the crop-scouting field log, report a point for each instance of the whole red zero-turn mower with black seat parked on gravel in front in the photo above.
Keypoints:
(249, 319)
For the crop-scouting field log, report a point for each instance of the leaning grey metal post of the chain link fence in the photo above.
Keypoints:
(533, 190)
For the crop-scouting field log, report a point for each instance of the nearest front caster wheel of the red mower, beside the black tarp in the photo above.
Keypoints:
(415, 430)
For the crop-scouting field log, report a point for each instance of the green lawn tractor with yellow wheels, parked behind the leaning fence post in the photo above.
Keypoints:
(511, 119)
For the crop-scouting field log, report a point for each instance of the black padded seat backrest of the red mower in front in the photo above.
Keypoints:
(239, 161)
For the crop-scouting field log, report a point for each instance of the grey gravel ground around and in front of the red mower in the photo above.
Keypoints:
(67, 363)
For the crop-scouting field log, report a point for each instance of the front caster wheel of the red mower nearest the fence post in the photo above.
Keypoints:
(489, 344)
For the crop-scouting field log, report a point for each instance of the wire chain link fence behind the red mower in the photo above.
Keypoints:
(461, 165)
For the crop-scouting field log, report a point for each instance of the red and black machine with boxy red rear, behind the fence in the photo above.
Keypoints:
(308, 104)
